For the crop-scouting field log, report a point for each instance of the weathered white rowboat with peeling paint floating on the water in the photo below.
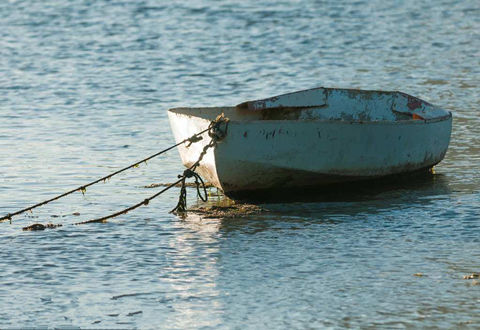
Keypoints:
(313, 138)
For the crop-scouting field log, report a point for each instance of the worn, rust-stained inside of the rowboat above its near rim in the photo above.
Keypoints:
(330, 104)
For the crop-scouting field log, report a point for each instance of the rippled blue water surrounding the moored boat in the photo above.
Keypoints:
(84, 89)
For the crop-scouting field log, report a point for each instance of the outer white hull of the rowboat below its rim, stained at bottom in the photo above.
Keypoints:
(271, 154)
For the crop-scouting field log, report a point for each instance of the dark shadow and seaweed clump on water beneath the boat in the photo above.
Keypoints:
(387, 196)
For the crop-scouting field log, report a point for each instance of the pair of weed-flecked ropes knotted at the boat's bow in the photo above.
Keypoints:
(213, 131)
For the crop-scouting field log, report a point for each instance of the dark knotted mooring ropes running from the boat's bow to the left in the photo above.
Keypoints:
(214, 131)
